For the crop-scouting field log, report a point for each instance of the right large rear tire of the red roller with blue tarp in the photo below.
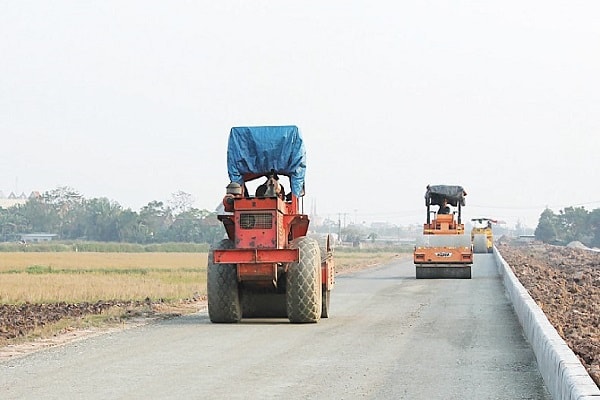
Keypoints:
(303, 284)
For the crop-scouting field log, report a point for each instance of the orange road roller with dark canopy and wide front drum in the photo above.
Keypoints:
(444, 250)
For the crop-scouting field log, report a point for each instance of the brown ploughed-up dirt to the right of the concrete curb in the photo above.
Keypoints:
(565, 283)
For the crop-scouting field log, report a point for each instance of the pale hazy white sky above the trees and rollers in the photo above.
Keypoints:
(134, 100)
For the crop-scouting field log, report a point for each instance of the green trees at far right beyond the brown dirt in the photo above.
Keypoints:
(570, 224)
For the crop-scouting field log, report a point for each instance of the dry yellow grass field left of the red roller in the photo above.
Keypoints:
(78, 276)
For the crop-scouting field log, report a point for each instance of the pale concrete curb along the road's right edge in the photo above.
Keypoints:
(563, 373)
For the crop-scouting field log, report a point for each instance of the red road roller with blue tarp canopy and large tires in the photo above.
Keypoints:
(268, 266)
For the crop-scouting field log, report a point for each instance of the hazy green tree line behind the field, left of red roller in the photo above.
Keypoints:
(65, 212)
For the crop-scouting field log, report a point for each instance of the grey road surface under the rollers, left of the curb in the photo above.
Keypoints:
(389, 336)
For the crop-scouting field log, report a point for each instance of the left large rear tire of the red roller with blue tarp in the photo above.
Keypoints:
(222, 289)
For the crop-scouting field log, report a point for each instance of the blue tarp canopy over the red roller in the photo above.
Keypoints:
(254, 151)
